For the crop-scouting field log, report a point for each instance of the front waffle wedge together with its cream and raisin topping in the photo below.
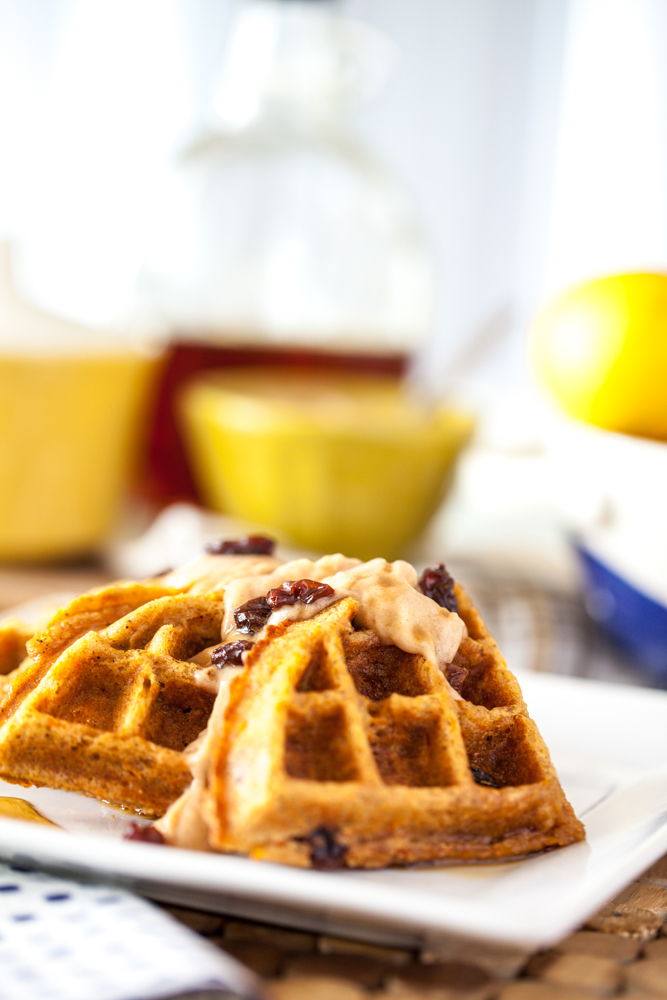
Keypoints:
(366, 718)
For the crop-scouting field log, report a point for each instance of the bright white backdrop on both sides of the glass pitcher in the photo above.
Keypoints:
(531, 134)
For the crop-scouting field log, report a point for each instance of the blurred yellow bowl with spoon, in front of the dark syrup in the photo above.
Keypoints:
(335, 462)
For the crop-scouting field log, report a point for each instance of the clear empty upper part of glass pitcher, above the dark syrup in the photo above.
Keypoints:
(282, 227)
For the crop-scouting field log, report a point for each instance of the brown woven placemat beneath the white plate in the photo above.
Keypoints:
(621, 951)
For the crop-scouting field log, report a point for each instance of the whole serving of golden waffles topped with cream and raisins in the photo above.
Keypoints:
(320, 713)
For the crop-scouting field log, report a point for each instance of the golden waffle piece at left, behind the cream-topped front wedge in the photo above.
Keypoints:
(109, 701)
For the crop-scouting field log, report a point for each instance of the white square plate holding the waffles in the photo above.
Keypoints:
(608, 744)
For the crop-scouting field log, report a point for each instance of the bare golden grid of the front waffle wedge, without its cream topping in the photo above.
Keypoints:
(337, 751)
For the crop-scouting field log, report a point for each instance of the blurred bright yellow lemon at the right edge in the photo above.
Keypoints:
(601, 349)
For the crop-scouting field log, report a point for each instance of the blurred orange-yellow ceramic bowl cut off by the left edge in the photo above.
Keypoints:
(69, 428)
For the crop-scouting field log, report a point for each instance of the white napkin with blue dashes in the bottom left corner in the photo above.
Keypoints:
(62, 940)
